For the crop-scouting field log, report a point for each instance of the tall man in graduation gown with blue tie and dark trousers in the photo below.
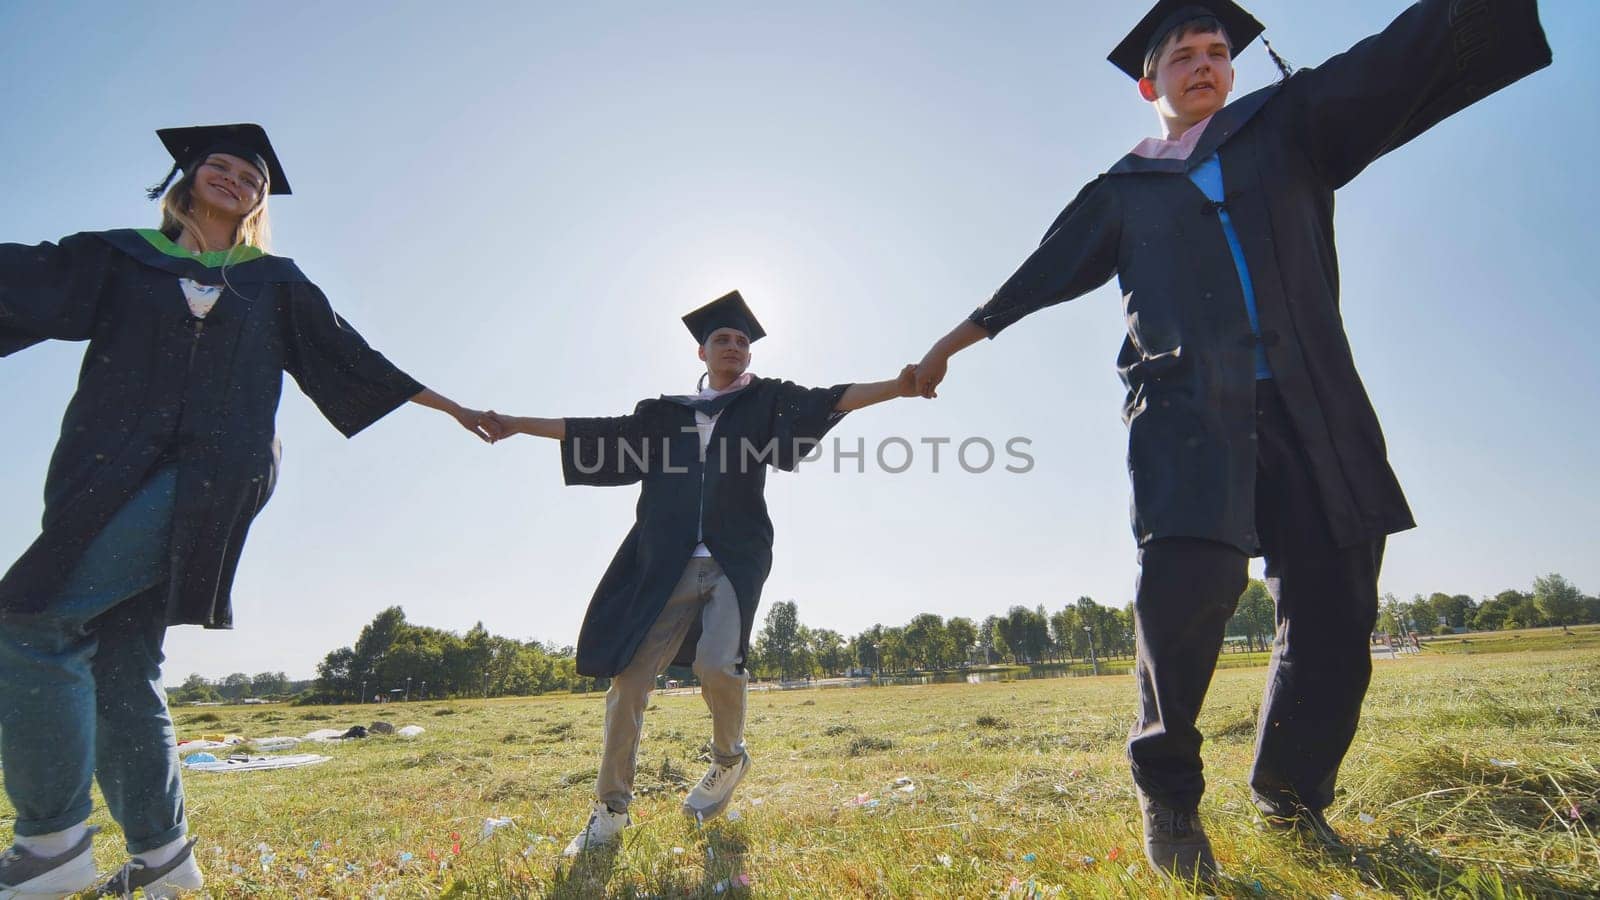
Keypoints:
(1249, 428)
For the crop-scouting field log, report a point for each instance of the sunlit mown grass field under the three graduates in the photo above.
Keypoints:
(1473, 776)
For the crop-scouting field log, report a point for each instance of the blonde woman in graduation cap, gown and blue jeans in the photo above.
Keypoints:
(167, 454)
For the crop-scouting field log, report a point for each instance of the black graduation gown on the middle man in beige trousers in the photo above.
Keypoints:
(682, 496)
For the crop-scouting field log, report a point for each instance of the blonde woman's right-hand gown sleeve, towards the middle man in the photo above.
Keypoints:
(350, 382)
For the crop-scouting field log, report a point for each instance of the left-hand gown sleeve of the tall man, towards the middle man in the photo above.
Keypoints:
(1079, 254)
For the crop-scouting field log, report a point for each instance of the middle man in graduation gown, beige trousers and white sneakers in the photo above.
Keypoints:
(687, 581)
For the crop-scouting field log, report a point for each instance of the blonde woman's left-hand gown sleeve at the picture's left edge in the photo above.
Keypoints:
(52, 291)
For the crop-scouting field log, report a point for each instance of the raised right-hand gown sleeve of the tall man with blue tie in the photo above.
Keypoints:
(1434, 60)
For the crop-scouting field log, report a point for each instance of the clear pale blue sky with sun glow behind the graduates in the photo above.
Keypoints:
(516, 203)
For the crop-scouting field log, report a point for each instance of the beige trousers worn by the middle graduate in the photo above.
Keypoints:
(703, 593)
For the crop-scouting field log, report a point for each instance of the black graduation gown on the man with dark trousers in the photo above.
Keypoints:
(1190, 355)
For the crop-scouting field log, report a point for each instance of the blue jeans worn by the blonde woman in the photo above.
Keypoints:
(81, 686)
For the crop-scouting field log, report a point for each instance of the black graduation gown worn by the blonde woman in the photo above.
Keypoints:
(158, 387)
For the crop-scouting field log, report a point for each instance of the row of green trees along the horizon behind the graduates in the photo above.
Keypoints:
(398, 661)
